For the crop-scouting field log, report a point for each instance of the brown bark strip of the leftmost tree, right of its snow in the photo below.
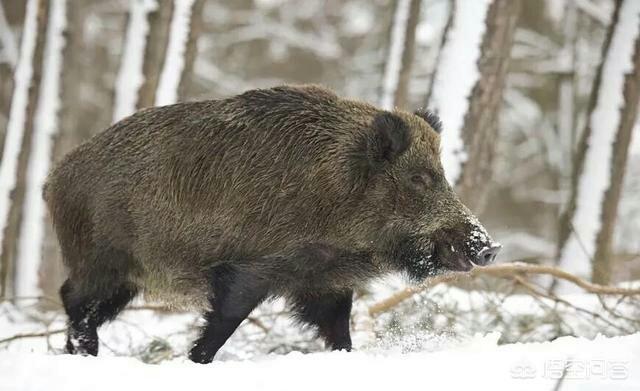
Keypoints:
(14, 218)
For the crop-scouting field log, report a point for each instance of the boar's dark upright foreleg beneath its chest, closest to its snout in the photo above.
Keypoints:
(330, 314)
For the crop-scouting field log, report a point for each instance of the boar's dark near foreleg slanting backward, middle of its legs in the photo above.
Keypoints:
(234, 294)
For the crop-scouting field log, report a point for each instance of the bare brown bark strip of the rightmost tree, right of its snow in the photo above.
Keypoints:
(602, 260)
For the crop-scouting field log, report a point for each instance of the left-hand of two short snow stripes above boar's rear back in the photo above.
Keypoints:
(130, 77)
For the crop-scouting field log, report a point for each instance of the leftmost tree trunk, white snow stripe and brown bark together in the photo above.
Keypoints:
(18, 131)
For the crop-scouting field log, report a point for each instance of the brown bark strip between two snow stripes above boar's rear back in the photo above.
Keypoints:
(155, 51)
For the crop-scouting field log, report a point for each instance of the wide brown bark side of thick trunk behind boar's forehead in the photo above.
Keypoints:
(480, 129)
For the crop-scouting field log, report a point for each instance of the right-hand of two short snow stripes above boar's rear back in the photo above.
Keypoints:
(167, 92)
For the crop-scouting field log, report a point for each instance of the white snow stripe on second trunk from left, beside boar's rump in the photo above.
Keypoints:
(45, 126)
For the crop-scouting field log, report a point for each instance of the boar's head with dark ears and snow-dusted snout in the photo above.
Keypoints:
(421, 226)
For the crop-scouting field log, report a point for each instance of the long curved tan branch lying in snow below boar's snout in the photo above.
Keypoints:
(507, 270)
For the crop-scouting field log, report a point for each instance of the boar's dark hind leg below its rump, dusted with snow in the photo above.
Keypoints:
(87, 312)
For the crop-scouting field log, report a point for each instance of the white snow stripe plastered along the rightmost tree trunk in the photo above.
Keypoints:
(595, 179)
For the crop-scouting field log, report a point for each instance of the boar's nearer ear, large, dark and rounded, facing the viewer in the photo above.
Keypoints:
(391, 137)
